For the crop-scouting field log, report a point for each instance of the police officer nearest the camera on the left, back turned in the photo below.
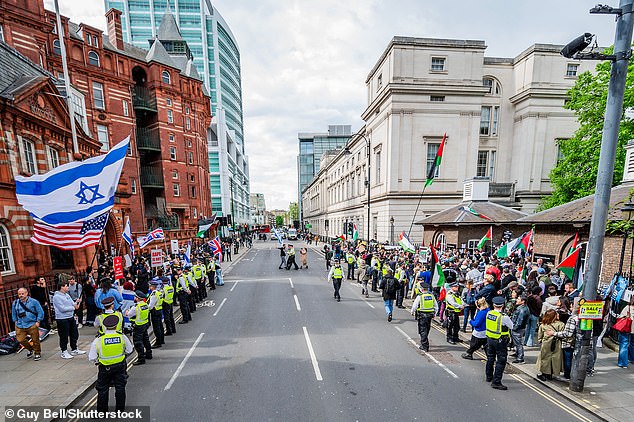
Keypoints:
(109, 351)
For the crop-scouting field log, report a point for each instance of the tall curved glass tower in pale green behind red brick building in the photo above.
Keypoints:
(217, 58)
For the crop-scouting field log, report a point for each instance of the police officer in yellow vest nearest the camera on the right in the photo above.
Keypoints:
(498, 328)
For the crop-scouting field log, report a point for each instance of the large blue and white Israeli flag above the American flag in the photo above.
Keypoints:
(73, 192)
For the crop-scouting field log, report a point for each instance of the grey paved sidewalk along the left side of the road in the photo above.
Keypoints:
(58, 382)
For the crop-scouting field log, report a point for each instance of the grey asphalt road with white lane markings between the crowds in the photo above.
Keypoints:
(275, 346)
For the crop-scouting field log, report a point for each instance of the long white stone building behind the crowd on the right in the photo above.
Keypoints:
(502, 117)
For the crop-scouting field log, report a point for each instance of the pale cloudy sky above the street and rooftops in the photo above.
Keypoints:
(304, 62)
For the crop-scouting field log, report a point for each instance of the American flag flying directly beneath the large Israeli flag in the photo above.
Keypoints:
(70, 236)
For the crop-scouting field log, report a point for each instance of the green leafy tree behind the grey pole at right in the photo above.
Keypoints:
(575, 174)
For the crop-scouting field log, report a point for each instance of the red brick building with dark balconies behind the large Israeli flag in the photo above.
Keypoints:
(154, 95)
